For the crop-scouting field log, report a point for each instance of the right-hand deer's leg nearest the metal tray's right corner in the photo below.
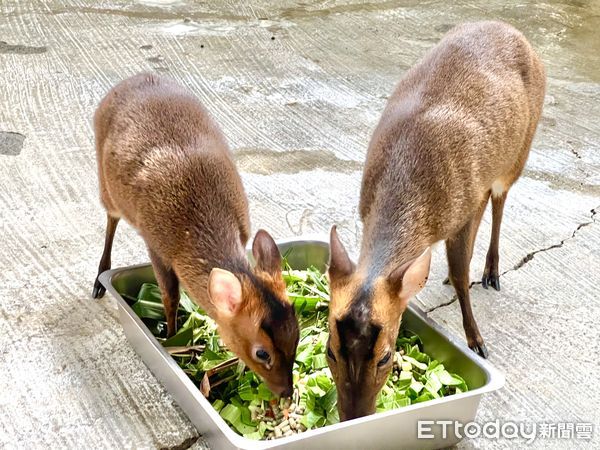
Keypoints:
(459, 250)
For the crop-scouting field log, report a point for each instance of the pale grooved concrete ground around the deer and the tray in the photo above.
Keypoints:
(297, 88)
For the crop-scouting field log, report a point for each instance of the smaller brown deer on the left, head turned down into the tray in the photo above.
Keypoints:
(165, 167)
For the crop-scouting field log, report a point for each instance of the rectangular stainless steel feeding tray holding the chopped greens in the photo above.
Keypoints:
(393, 429)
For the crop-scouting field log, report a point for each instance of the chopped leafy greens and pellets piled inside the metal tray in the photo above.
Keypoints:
(246, 403)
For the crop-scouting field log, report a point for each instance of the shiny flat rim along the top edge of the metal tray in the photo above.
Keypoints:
(495, 378)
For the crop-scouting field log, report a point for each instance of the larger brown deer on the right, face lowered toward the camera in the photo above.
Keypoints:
(456, 131)
